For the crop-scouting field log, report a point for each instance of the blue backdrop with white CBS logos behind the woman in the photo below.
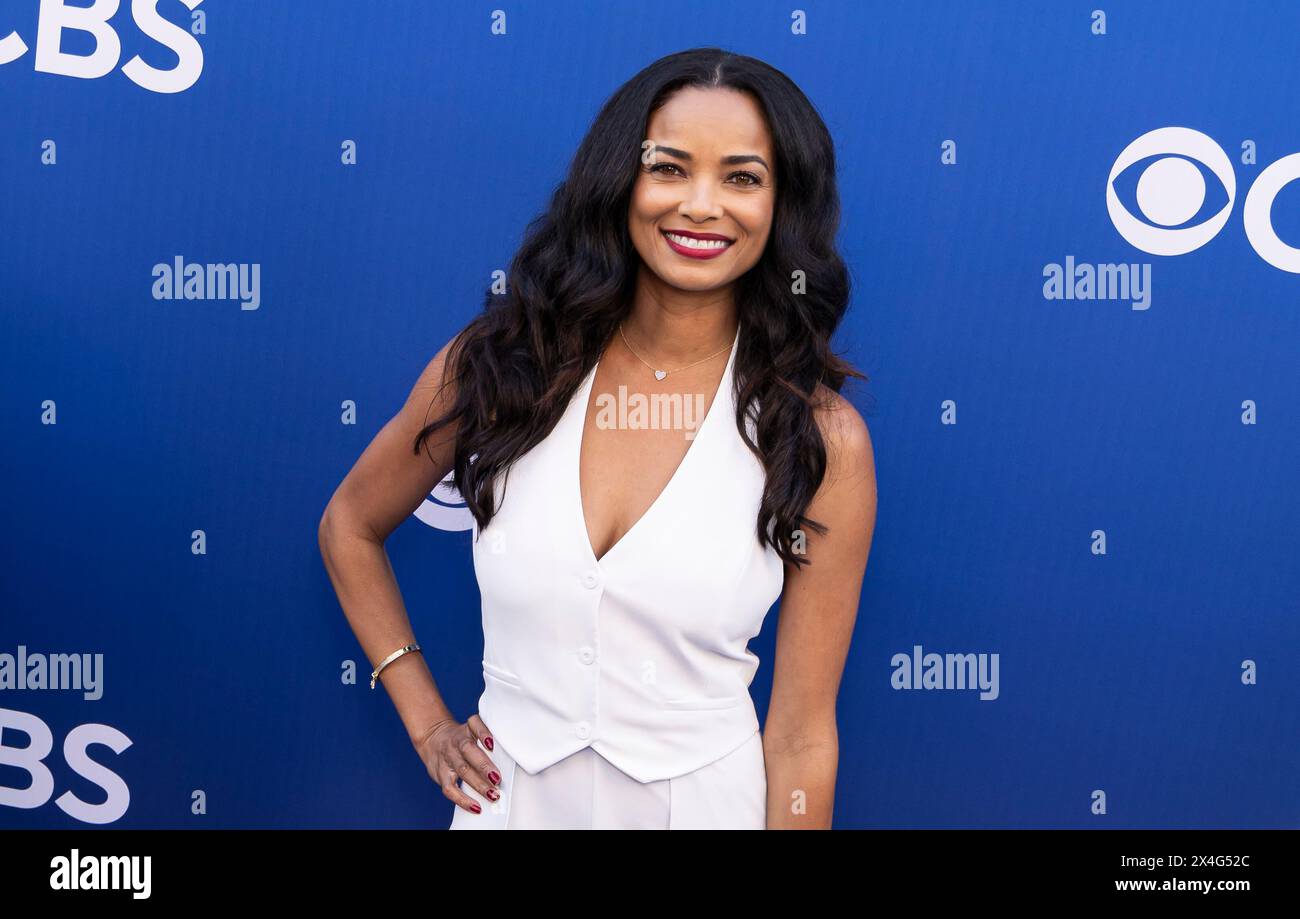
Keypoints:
(1102, 492)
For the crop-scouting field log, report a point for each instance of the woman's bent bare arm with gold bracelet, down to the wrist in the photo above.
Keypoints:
(384, 488)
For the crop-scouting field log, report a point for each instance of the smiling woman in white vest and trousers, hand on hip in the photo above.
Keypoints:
(688, 262)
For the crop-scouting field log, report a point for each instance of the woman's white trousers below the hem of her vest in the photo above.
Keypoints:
(584, 791)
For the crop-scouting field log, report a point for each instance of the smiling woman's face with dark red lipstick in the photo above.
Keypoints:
(710, 175)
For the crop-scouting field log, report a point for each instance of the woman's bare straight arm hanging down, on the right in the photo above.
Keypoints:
(820, 606)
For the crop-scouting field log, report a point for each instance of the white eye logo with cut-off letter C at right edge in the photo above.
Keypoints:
(1172, 192)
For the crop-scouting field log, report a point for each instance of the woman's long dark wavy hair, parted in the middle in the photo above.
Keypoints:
(519, 363)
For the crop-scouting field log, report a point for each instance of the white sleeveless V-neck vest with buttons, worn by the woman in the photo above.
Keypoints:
(642, 656)
